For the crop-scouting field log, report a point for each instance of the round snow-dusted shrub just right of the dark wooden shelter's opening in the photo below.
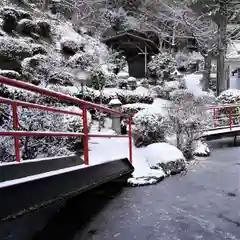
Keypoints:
(162, 62)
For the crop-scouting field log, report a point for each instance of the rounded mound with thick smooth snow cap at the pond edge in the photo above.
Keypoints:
(166, 157)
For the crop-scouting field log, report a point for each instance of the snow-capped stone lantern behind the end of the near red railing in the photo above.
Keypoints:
(116, 104)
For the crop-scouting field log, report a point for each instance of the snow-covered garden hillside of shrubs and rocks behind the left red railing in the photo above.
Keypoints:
(49, 52)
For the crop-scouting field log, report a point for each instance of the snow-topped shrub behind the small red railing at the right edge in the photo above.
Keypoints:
(230, 96)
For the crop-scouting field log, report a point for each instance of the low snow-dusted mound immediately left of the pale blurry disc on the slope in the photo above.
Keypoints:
(61, 78)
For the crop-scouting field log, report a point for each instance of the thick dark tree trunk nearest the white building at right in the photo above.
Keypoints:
(222, 30)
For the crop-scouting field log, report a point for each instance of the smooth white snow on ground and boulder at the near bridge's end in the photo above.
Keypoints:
(107, 149)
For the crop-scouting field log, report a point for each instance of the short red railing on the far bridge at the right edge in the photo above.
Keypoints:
(225, 116)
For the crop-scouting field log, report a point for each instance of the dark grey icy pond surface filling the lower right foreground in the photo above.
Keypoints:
(204, 204)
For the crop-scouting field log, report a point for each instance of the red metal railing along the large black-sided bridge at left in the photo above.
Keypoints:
(84, 105)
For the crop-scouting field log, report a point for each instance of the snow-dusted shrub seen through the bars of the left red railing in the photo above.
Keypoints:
(37, 120)
